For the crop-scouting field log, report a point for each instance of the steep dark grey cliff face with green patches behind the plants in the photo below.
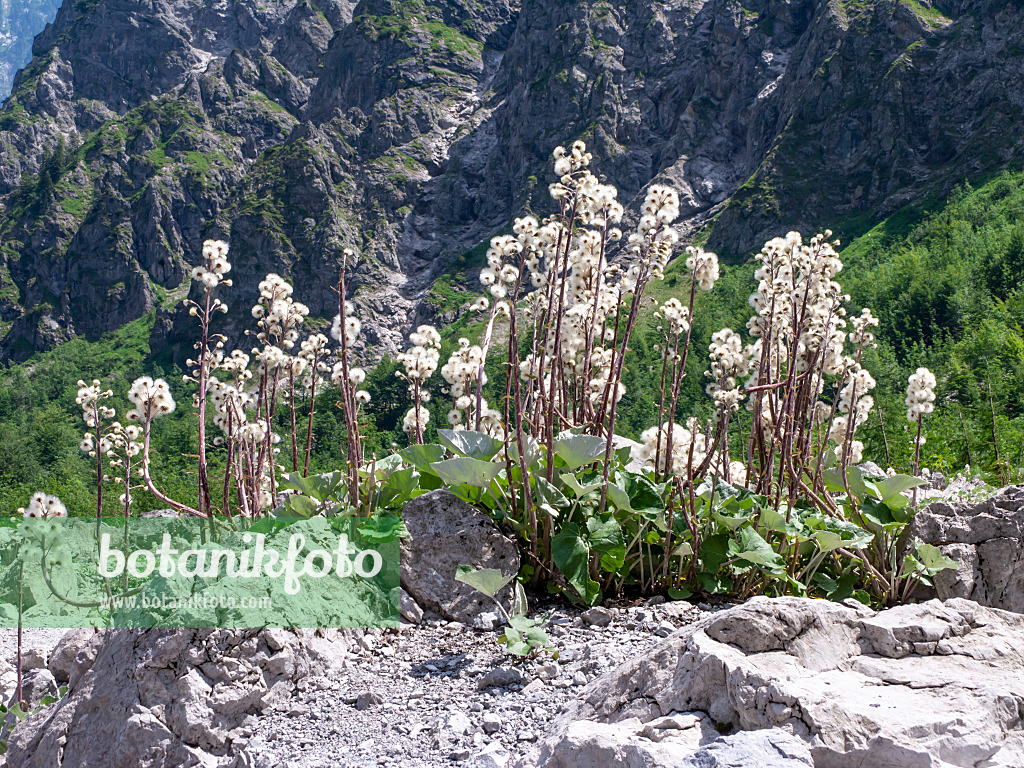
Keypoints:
(414, 131)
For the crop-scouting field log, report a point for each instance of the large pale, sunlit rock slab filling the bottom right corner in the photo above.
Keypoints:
(917, 686)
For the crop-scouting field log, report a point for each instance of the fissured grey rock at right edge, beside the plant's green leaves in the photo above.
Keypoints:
(987, 541)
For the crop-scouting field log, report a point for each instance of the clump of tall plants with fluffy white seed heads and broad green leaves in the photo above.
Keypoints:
(781, 507)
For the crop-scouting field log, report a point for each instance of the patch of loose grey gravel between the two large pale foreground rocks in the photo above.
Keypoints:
(440, 694)
